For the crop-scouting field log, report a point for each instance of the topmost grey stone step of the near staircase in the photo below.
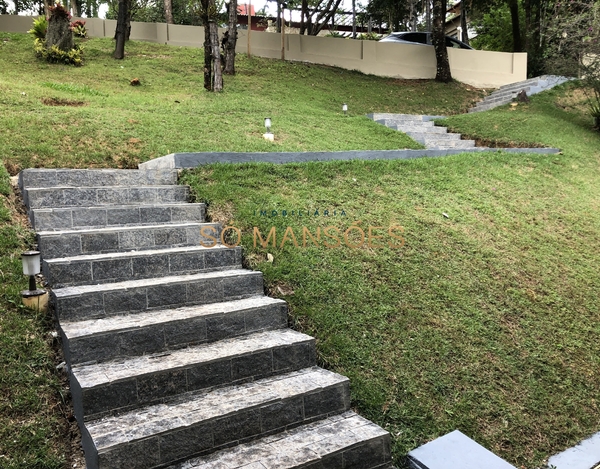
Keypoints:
(37, 177)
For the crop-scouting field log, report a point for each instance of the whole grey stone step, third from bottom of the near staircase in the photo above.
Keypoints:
(119, 386)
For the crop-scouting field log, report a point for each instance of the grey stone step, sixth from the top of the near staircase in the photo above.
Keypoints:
(112, 299)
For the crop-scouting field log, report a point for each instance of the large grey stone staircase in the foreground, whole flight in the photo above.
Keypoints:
(175, 356)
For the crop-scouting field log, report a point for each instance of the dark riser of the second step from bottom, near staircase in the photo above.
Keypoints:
(190, 435)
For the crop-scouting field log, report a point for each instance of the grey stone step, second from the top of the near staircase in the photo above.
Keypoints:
(91, 196)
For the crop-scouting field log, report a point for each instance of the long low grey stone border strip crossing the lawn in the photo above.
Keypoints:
(191, 160)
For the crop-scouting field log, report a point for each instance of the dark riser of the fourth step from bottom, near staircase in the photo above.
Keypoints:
(174, 331)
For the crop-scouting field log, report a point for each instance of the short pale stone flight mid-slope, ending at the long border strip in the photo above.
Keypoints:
(422, 129)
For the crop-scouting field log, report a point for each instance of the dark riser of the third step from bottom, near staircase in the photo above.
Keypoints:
(144, 389)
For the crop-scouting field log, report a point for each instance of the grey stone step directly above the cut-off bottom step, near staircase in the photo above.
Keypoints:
(203, 422)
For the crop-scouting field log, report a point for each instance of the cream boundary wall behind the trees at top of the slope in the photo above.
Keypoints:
(482, 69)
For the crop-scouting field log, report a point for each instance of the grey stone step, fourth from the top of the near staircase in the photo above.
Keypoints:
(71, 243)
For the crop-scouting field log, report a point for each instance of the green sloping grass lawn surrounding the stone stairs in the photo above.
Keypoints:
(485, 319)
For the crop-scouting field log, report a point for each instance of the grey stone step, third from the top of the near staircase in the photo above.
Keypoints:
(77, 218)
